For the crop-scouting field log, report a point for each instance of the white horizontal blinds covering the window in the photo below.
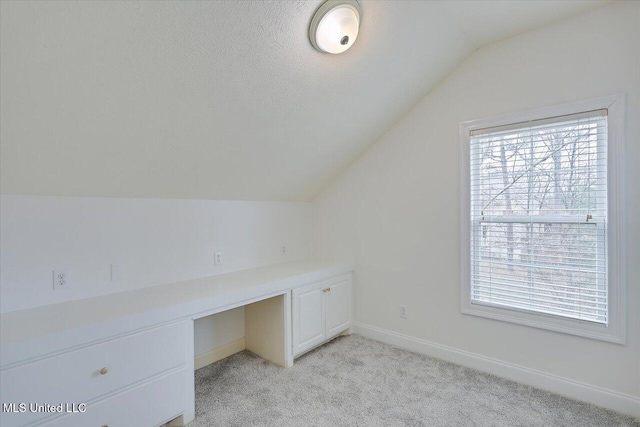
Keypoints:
(539, 216)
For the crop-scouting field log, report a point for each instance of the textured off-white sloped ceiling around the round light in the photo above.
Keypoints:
(219, 100)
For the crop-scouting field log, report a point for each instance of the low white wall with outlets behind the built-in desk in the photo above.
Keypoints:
(157, 241)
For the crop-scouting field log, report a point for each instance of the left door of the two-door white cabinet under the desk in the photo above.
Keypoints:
(308, 317)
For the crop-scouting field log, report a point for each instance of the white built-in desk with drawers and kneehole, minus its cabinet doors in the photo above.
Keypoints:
(120, 349)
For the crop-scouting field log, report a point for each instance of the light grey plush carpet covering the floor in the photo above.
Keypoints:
(354, 381)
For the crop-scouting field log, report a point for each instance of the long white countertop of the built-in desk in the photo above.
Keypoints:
(41, 331)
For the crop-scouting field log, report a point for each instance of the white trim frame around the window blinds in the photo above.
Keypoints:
(615, 330)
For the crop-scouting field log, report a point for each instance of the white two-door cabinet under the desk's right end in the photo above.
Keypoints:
(320, 311)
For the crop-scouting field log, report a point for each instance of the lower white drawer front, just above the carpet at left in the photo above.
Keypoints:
(147, 405)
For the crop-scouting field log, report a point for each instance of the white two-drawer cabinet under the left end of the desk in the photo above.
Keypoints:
(144, 370)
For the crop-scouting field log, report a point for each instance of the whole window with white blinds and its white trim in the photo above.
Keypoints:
(538, 210)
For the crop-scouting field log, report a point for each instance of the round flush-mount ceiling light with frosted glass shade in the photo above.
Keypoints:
(334, 27)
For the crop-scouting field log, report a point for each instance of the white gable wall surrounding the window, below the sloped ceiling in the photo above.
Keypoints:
(395, 212)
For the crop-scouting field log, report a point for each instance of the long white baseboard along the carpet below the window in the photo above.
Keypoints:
(609, 399)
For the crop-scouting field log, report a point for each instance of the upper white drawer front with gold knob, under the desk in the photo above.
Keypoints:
(76, 377)
